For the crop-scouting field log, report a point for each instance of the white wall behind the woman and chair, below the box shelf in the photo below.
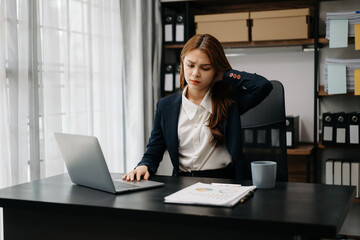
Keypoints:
(295, 70)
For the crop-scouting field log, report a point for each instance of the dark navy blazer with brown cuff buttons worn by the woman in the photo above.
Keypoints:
(248, 91)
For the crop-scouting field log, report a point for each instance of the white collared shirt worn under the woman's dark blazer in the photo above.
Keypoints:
(196, 152)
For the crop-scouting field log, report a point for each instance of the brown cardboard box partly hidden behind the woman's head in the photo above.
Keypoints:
(227, 27)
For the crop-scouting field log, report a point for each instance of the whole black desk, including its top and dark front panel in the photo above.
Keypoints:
(54, 208)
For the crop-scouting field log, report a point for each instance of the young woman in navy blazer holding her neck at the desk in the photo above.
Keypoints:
(200, 126)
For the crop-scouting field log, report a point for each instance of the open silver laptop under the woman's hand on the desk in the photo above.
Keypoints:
(87, 166)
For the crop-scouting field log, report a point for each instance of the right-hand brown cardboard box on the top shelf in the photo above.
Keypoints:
(281, 24)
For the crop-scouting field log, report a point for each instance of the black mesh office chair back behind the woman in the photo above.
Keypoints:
(264, 132)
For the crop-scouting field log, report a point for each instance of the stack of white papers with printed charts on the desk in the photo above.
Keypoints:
(226, 195)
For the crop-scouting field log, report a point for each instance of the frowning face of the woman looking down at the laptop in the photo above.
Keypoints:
(198, 71)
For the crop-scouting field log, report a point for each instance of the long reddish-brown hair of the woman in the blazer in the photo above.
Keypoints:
(220, 93)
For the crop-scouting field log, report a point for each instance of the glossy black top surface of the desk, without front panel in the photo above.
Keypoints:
(290, 208)
